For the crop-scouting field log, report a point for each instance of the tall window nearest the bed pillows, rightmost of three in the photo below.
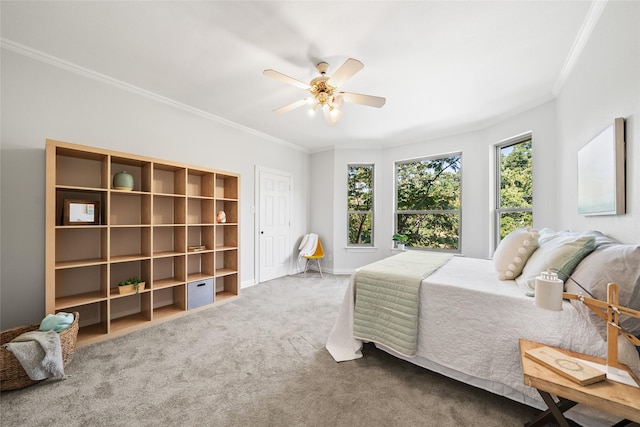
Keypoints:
(514, 195)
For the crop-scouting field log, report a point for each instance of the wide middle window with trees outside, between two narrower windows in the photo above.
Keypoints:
(428, 202)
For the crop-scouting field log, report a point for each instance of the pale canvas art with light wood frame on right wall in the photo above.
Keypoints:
(601, 173)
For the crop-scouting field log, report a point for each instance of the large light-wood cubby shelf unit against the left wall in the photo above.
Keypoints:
(144, 232)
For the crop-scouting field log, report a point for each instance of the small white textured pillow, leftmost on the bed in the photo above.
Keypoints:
(514, 250)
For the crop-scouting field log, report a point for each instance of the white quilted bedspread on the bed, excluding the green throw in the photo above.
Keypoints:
(469, 327)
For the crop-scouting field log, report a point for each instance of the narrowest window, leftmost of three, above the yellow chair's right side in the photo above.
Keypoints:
(360, 204)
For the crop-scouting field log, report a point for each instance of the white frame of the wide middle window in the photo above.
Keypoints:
(457, 212)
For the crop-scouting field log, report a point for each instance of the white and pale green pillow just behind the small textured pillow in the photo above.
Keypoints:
(559, 253)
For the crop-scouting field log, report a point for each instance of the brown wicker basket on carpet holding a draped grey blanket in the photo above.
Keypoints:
(12, 375)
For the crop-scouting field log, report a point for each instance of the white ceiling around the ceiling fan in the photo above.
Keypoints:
(443, 66)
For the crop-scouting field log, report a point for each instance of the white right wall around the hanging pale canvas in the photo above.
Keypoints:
(604, 84)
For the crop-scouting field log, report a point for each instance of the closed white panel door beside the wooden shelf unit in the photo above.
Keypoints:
(273, 226)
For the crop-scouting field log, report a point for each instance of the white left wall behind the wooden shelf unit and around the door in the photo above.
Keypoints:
(40, 101)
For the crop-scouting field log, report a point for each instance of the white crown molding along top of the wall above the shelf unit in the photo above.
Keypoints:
(105, 79)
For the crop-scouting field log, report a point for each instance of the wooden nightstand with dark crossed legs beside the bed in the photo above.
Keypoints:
(618, 399)
